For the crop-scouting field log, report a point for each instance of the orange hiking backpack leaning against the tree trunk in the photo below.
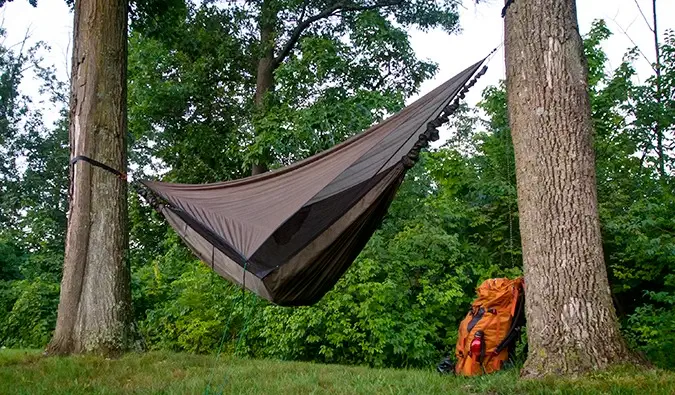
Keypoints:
(490, 330)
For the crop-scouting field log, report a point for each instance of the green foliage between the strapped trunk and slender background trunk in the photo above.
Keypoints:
(188, 96)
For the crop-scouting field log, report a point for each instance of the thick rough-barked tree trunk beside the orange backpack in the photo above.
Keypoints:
(571, 323)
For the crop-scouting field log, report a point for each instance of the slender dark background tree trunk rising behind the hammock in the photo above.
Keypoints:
(265, 76)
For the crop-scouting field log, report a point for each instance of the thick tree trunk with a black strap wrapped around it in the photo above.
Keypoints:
(95, 303)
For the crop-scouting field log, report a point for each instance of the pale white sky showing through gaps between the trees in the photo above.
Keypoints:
(482, 30)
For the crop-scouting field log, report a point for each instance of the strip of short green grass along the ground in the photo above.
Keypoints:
(27, 372)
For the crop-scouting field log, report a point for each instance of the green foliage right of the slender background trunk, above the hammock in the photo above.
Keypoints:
(343, 74)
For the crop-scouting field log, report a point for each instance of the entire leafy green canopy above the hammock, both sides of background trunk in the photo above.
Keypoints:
(192, 81)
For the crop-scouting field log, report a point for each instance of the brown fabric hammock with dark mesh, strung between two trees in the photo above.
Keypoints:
(288, 235)
